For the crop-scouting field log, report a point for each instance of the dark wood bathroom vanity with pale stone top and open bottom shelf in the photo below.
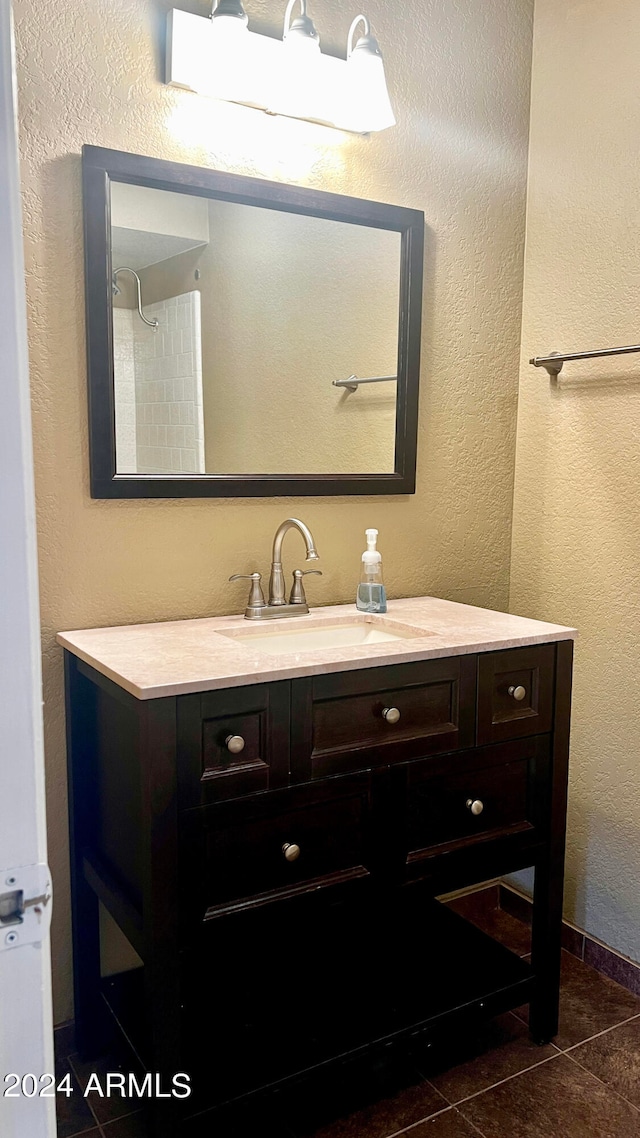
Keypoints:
(270, 826)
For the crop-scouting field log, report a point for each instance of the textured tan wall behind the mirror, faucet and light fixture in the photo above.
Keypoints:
(91, 72)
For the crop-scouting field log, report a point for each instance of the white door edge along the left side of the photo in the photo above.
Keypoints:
(27, 1041)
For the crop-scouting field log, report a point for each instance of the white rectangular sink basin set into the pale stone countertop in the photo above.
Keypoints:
(325, 636)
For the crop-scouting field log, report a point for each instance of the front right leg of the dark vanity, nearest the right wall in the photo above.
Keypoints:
(547, 929)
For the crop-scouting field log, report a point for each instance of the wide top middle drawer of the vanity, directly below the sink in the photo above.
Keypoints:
(360, 720)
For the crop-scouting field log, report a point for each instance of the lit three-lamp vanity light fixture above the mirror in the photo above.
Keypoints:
(220, 57)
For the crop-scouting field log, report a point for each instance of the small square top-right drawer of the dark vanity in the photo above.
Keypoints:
(515, 692)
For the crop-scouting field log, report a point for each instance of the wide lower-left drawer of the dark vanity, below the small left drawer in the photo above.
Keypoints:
(278, 846)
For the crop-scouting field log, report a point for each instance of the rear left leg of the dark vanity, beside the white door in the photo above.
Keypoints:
(92, 1017)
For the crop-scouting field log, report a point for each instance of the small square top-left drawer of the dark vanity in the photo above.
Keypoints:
(233, 743)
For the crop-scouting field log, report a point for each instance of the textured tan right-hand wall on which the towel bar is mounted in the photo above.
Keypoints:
(577, 538)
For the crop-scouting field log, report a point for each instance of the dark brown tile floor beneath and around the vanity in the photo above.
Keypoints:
(494, 1085)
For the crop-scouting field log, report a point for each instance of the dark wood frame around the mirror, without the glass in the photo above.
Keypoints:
(101, 168)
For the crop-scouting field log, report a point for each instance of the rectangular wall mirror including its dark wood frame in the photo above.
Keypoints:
(248, 339)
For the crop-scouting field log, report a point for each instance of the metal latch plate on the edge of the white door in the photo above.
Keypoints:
(26, 905)
